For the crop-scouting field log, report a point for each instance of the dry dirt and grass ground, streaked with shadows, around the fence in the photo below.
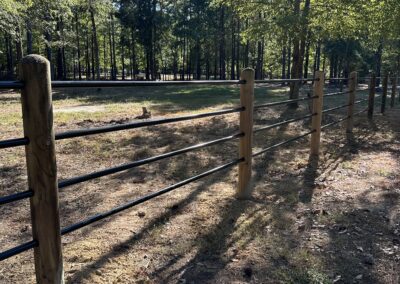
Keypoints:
(332, 221)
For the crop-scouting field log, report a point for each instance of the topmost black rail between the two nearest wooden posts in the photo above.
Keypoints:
(100, 84)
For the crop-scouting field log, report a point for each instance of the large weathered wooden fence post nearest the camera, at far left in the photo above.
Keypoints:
(37, 111)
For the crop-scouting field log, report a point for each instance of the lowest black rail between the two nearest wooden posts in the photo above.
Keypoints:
(145, 198)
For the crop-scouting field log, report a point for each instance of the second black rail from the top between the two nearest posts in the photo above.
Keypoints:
(139, 124)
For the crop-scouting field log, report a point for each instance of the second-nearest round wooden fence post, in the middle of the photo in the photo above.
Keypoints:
(246, 127)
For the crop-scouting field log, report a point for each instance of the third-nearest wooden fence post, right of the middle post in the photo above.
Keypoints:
(317, 109)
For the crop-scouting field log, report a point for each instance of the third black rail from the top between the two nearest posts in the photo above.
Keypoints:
(142, 162)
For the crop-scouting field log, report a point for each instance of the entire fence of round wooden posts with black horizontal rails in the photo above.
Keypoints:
(39, 141)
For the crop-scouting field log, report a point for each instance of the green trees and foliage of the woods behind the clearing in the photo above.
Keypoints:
(182, 35)
